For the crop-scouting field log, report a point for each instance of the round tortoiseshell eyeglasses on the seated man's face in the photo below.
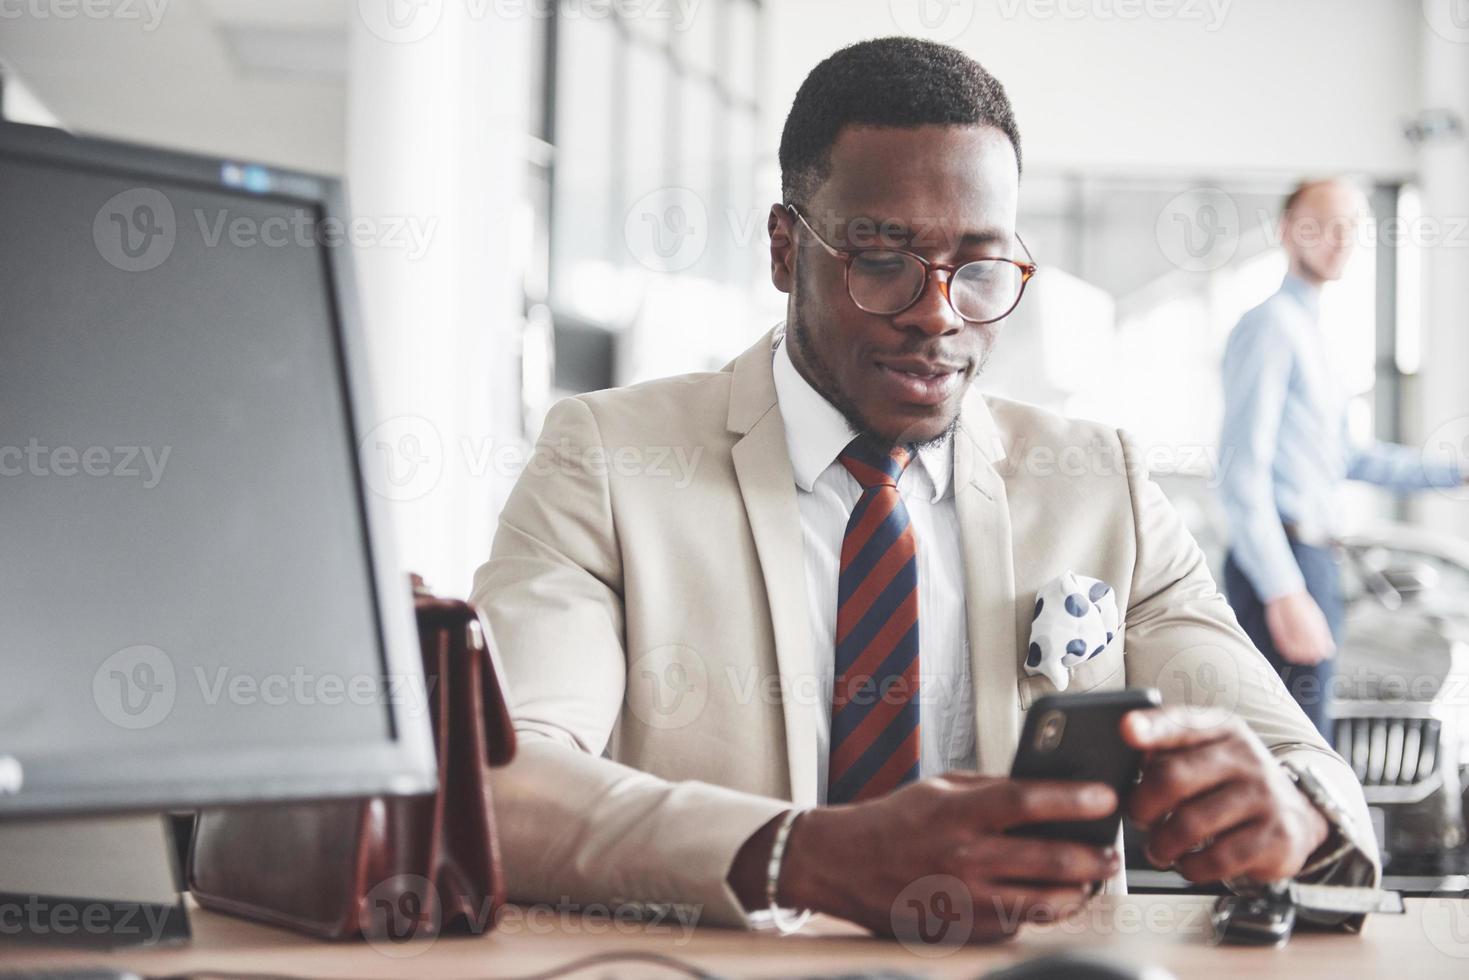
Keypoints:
(888, 281)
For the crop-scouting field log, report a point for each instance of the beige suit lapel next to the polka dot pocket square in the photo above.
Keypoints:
(989, 575)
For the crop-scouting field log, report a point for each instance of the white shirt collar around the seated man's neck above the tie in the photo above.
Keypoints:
(817, 433)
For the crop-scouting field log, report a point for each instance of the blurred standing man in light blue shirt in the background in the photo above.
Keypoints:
(1289, 449)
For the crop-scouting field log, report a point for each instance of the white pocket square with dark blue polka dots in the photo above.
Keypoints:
(1075, 621)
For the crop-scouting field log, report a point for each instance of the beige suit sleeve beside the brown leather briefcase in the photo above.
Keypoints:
(577, 826)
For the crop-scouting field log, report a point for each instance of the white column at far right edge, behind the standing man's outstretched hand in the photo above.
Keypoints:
(1442, 406)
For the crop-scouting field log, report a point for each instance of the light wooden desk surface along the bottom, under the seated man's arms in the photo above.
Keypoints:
(1430, 941)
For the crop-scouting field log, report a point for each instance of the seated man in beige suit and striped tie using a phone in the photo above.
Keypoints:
(685, 660)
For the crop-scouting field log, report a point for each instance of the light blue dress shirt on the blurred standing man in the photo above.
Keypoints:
(1285, 443)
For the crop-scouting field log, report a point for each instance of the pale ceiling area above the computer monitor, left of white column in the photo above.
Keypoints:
(259, 80)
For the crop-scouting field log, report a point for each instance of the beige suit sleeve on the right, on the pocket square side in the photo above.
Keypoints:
(1183, 640)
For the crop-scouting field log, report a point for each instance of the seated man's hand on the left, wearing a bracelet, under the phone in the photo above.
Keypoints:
(857, 860)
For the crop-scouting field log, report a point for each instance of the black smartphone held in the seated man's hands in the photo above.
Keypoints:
(1078, 737)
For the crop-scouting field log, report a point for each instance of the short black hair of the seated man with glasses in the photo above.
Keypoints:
(891, 82)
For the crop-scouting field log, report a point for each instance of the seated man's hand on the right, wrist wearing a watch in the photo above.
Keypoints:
(1216, 803)
